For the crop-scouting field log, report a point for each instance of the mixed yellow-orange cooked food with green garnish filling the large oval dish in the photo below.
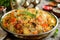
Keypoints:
(28, 21)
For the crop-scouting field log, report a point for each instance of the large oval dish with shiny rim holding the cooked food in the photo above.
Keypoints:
(31, 36)
